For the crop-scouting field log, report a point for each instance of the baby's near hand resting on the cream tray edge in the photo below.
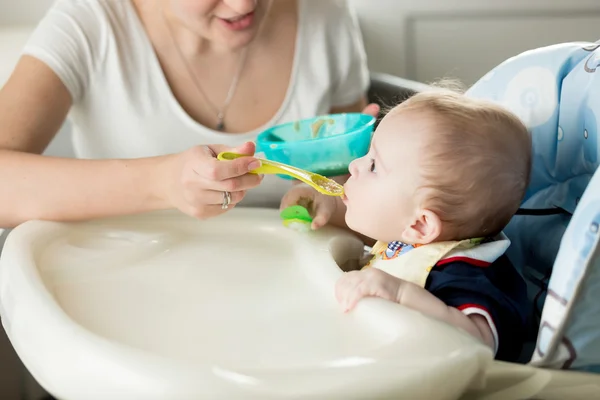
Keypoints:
(370, 282)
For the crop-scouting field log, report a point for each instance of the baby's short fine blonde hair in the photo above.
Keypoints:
(476, 166)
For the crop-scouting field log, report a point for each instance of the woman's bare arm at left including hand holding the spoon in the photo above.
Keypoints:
(33, 106)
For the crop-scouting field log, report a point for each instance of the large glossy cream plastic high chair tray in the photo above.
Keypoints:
(163, 306)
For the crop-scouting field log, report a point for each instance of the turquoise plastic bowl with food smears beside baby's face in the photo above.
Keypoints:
(325, 145)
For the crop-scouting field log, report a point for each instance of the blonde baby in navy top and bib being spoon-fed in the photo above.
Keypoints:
(444, 175)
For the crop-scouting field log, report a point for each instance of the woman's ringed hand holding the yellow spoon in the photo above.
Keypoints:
(198, 184)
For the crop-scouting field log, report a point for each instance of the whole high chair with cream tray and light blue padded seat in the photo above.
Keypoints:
(162, 306)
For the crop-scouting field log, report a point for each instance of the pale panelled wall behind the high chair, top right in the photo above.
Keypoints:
(428, 39)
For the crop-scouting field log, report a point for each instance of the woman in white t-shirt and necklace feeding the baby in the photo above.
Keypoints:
(150, 84)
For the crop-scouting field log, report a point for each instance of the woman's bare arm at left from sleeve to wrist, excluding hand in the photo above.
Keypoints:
(33, 106)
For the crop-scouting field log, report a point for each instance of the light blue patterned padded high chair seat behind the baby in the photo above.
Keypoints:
(555, 90)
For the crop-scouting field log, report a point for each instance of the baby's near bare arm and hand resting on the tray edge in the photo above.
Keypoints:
(374, 282)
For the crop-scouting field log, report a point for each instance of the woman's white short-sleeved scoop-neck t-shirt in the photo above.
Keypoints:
(123, 106)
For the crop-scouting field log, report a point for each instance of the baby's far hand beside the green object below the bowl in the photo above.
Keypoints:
(320, 207)
